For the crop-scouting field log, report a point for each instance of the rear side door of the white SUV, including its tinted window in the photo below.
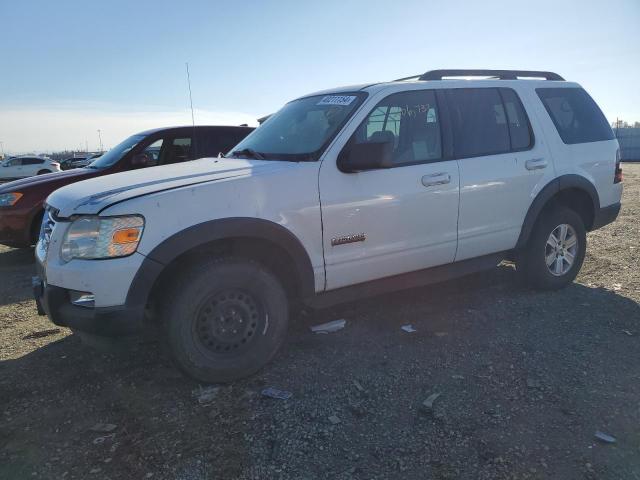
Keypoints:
(502, 167)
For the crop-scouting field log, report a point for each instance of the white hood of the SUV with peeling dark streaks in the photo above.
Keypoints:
(93, 195)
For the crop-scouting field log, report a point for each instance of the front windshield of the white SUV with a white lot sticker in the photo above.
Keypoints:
(301, 129)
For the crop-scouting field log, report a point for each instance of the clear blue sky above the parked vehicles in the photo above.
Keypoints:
(71, 67)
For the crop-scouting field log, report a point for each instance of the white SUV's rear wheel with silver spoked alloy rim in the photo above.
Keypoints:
(532, 262)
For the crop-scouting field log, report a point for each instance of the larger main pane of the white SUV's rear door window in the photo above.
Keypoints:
(479, 122)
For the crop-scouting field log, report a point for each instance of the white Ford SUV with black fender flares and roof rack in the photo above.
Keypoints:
(341, 194)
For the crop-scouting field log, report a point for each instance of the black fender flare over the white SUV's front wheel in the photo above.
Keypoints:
(226, 228)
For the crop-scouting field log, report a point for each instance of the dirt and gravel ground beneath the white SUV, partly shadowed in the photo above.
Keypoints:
(526, 379)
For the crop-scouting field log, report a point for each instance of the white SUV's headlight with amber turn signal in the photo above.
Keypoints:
(94, 237)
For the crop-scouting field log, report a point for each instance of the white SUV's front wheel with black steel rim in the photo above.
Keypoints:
(225, 319)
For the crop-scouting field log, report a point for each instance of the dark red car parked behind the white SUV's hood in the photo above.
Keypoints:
(21, 201)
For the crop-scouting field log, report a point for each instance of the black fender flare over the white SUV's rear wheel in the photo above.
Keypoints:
(555, 186)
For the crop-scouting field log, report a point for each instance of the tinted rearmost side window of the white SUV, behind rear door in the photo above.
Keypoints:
(575, 115)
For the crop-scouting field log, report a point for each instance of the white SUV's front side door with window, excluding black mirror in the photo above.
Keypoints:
(379, 223)
